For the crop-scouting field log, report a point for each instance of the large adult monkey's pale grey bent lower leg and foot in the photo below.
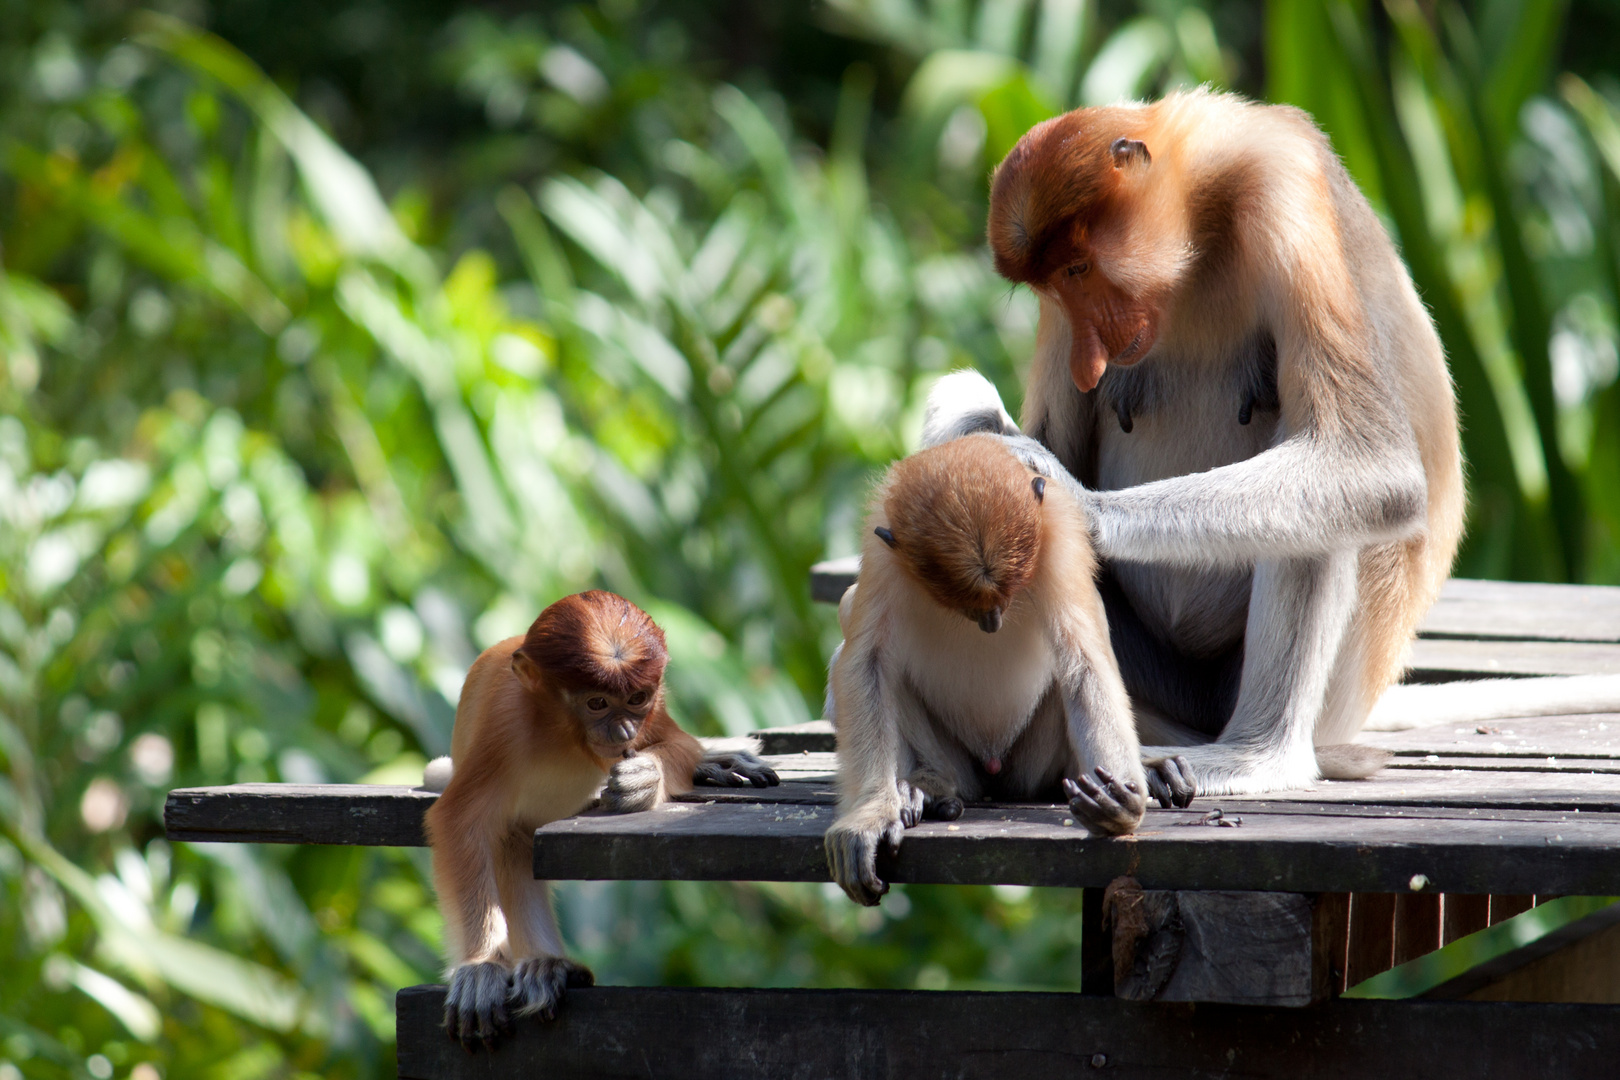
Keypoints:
(1298, 614)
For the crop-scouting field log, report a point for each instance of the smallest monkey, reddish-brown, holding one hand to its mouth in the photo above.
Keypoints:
(544, 721)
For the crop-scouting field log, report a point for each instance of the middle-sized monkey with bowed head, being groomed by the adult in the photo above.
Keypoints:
(976, 660)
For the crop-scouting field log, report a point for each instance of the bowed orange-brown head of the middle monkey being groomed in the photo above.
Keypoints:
(965, 522)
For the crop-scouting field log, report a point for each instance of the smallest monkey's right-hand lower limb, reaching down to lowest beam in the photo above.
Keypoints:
(540, 974)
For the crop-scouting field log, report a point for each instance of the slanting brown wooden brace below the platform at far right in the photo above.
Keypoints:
(1579, 963)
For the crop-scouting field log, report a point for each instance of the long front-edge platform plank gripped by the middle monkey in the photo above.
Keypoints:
(1276, 853)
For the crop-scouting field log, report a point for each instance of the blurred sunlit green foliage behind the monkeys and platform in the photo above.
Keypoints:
(338, 339)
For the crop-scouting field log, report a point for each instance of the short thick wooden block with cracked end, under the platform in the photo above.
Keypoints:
(1214, 946)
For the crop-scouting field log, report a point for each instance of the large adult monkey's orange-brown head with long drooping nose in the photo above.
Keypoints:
(1078, 213)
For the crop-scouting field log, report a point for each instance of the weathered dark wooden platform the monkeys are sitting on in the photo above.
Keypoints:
(1238, 921)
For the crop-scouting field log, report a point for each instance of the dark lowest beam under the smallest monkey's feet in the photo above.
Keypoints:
(625, 1032)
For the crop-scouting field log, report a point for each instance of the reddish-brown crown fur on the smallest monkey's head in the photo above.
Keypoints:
(597, 642)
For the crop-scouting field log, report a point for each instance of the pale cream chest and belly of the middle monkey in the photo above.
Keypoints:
(983, 687)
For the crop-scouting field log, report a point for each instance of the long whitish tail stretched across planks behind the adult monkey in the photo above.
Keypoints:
(1405, 707)
